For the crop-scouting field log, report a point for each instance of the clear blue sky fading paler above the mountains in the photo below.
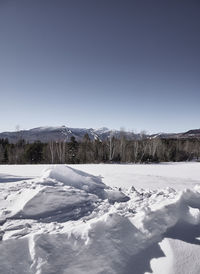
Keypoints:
(93, 63)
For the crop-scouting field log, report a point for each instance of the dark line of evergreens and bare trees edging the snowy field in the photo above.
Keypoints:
(119, 150)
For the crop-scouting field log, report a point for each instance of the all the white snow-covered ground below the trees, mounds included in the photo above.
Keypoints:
(105, 219)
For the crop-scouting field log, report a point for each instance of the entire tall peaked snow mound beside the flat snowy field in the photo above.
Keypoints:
(61, 194)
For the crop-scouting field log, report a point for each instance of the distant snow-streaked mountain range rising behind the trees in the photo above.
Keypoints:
(63, 133)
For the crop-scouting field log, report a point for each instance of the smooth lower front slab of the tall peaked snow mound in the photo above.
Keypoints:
(58, 204)
